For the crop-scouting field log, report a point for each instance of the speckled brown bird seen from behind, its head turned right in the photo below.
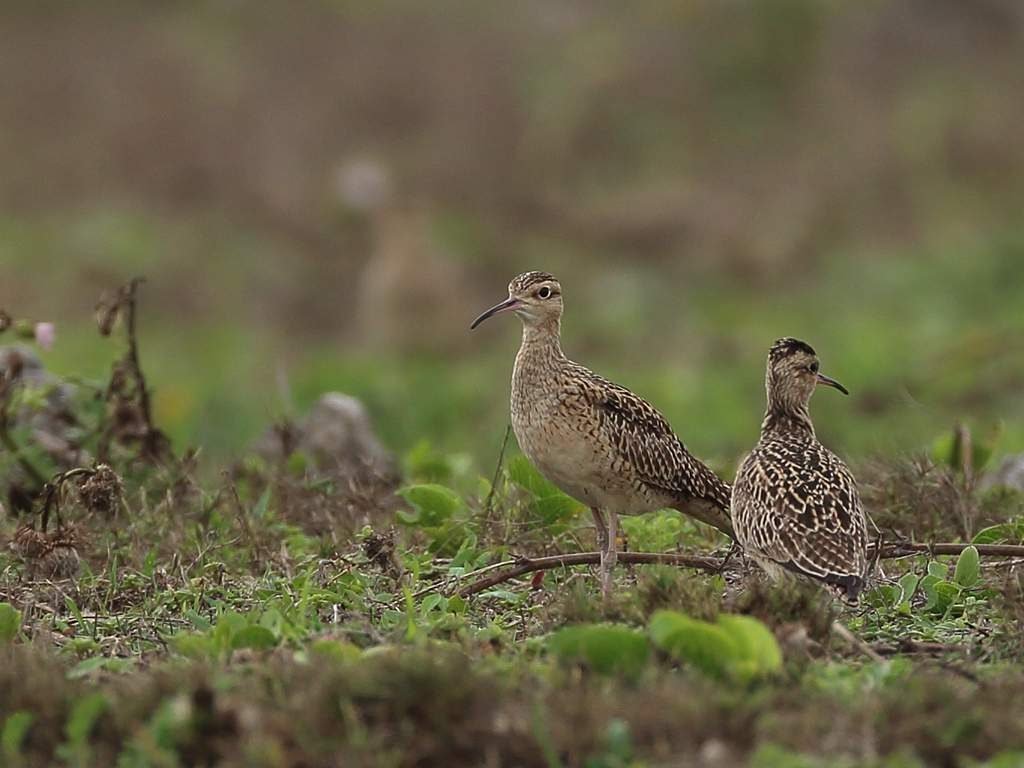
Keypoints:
(795, 503)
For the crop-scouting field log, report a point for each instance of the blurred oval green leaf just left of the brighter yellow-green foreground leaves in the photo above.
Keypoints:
(608, 650)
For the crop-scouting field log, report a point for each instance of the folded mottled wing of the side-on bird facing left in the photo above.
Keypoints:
(645, 439)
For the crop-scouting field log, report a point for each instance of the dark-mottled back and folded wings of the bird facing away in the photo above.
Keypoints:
(795, 503)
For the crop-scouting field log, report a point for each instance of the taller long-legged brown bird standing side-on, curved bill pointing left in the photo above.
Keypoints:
(596, 441)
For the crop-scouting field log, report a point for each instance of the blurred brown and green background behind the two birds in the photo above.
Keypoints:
(323, 195)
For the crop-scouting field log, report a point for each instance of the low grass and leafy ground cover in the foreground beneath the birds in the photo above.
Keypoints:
(272, 632)
